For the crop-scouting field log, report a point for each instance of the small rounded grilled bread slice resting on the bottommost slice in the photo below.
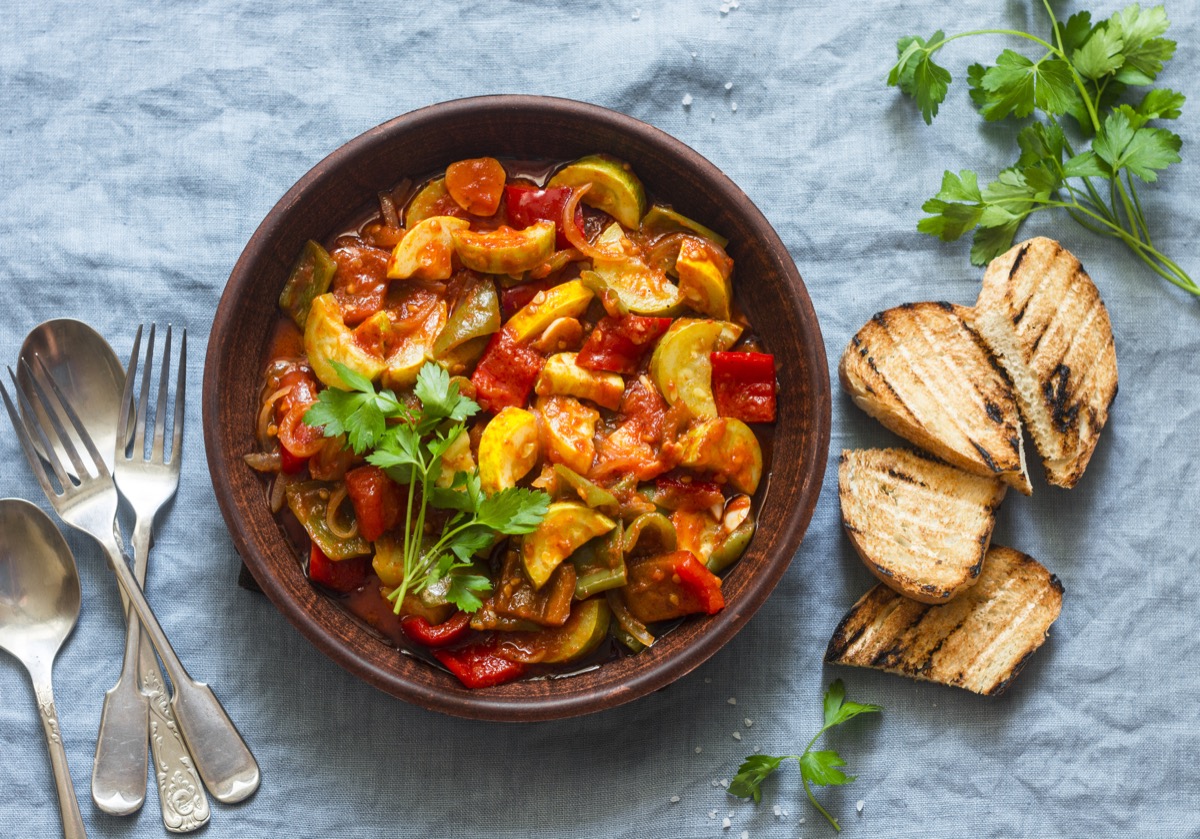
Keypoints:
(921, 526)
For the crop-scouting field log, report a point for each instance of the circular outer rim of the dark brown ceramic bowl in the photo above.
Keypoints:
(479, 705)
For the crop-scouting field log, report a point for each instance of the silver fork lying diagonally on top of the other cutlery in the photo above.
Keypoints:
(89, 505)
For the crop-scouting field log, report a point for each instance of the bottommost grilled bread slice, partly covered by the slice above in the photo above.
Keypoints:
(979, 642)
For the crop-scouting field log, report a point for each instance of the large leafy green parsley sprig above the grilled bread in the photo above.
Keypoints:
(1084, 71)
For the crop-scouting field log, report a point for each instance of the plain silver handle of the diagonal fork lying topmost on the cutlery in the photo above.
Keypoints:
(223, 759)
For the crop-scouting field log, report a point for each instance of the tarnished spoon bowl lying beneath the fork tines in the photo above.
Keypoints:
(88, 371)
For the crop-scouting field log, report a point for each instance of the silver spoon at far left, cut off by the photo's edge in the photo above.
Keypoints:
(39, 608)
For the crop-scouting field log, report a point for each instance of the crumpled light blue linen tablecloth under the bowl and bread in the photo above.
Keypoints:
(141, 145)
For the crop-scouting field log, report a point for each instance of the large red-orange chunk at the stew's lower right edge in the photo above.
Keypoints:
(671, 586)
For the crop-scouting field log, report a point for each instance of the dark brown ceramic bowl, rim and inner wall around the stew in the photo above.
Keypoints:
(341, 188)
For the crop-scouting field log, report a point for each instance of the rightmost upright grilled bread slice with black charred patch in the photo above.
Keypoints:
(1042, 317)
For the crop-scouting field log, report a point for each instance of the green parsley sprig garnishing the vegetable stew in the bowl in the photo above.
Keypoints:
(410, 445)
